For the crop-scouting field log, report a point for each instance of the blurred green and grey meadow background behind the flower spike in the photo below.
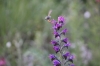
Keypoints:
(25, 35)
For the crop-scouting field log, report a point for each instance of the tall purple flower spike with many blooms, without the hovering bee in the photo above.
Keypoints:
(60, 43)
